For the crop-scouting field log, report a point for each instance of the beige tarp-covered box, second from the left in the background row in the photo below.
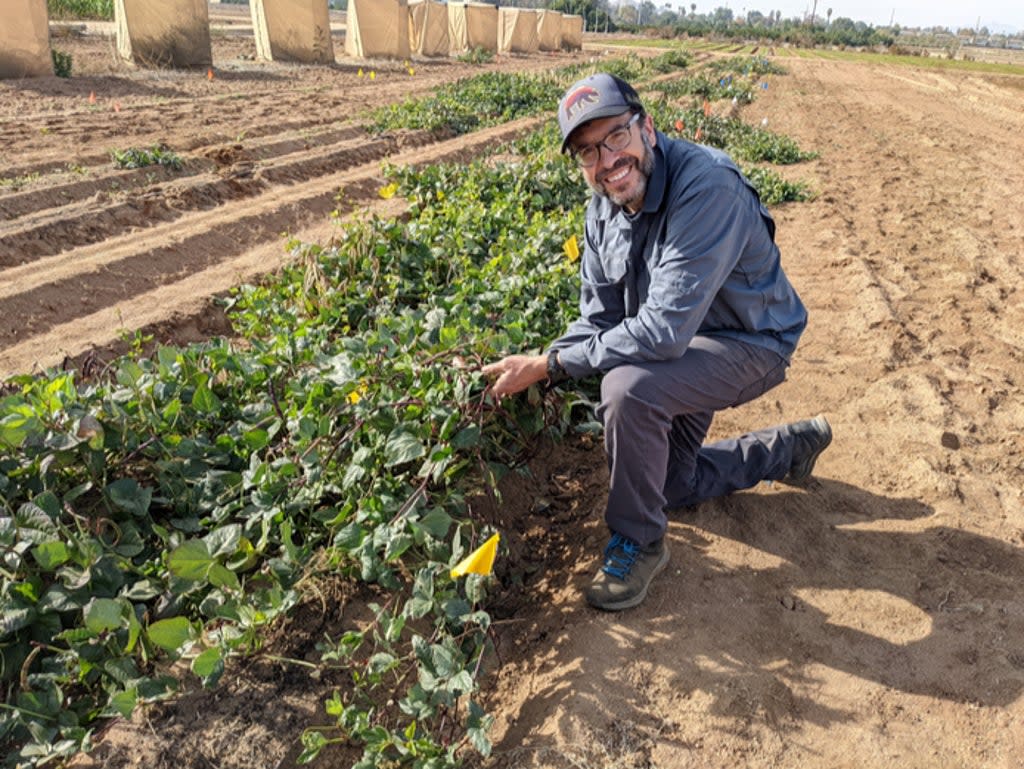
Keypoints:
(164, 33)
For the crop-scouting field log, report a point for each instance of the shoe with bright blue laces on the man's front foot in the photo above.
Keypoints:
(628, 572)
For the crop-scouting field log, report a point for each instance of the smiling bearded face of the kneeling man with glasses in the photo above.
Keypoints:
(621, 177)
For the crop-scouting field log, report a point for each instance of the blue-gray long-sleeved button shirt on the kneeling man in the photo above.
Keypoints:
(700, 259)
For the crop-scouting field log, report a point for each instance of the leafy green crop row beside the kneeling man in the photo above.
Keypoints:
(179, 505)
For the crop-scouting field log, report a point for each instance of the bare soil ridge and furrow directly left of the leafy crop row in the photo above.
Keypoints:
(57, 293)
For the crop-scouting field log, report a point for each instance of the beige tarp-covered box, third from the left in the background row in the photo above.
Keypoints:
(292, 31)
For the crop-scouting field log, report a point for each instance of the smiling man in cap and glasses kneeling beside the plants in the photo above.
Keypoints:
(685, 312)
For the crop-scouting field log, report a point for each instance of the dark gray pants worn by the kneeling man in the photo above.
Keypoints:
(656, 418)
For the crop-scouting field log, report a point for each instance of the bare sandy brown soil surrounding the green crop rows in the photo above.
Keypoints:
(875, 619)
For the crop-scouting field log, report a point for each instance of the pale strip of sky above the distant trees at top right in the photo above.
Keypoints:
(999, 16)
